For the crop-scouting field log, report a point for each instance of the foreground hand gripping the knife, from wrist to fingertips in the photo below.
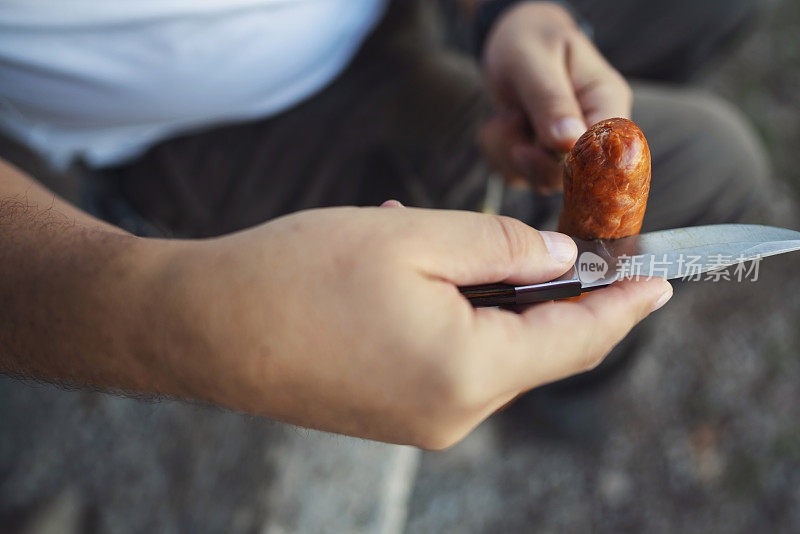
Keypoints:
(350, 320)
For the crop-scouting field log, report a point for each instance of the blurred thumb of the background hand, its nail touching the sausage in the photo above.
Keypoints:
(549, 99)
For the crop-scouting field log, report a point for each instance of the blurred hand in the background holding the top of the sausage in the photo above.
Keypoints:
(549, 84)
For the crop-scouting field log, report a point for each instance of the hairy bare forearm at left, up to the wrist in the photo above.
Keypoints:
(76, 294)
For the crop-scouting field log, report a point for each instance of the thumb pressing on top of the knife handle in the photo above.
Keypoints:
(467, 248)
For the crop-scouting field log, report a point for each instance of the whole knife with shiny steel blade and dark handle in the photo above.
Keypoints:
(678, 253)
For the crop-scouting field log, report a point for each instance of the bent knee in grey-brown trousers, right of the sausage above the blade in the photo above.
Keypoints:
(708, 165)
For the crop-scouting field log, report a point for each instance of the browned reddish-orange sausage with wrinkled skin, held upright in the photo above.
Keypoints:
(606, 182)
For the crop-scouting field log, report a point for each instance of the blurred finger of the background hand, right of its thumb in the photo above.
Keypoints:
(601, 91)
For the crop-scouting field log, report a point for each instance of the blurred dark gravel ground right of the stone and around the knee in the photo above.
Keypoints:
(703, 433)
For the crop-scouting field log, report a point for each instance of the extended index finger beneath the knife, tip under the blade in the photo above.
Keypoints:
(551, 341)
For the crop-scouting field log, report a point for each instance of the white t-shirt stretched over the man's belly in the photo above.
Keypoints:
(106, 79)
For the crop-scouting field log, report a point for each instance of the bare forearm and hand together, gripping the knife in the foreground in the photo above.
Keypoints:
(343, 319)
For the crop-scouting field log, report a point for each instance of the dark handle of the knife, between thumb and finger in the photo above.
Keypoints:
(566, 286)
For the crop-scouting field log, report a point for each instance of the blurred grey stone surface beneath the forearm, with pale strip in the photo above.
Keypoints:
(98, 463)
